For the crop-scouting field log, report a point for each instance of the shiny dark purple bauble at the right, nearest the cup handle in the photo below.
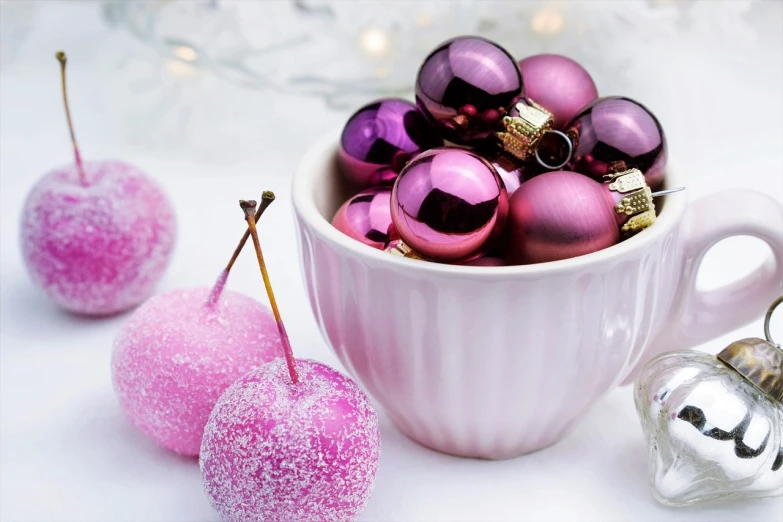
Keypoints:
(613, 134)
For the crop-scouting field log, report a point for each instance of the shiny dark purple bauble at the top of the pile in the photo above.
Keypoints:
(466, 85)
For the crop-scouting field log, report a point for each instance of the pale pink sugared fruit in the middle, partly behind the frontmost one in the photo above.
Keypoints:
(180, 351)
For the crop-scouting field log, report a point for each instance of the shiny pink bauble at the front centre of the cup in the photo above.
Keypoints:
(448, 203)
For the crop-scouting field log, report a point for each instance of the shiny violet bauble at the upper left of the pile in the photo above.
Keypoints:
(380, 138)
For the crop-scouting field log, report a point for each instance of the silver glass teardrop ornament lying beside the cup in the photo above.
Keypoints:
(714, 424)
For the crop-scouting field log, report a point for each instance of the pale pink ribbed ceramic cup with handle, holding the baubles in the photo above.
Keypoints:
(495, 362)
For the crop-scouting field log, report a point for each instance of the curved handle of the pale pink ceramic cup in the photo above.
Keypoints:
(697, 315)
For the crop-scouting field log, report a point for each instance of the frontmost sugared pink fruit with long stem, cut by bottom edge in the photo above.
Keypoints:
(294, 440)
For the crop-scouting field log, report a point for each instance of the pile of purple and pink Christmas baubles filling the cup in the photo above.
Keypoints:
(500, 162)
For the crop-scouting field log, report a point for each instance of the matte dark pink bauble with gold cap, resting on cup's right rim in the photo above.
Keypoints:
(559, 215)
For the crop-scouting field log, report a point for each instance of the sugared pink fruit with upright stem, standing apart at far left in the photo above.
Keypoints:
(96, 236)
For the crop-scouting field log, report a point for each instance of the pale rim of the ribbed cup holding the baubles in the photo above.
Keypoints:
(311, 166)
